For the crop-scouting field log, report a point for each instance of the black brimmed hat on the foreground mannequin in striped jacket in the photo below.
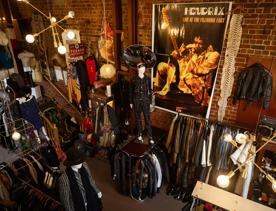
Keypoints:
(74, 157)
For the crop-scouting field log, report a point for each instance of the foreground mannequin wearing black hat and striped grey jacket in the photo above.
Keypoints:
(77, 189)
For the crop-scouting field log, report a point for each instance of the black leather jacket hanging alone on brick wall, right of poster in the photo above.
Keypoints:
(255, 82)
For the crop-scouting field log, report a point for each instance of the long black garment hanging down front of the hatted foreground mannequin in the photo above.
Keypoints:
(93, 202)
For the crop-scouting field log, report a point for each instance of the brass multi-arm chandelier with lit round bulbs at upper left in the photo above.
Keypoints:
(30, 38)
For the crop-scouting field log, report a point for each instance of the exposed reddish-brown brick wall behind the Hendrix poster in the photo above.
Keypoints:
(258, 39)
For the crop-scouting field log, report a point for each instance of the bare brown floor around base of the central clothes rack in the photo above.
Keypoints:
(114, 201)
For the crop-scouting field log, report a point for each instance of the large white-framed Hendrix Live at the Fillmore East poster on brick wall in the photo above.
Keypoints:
(187, 40)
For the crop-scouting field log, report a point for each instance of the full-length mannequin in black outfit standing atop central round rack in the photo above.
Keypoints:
(140, 100)
